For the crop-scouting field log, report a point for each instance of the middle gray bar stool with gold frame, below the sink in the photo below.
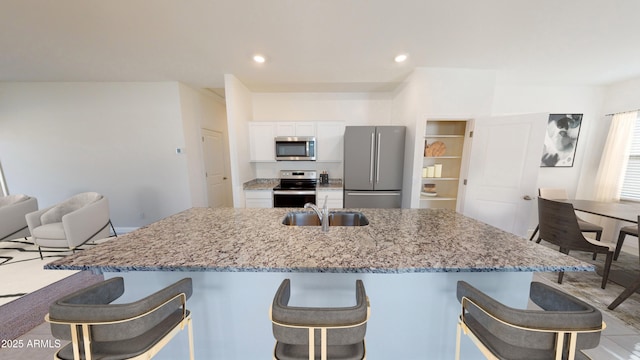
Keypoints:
(335, 333)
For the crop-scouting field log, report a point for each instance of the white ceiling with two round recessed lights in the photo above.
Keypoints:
(317, 45)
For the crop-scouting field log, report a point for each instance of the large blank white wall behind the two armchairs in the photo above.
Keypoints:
(119, 139)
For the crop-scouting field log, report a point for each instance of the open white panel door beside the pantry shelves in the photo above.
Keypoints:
(503, 170)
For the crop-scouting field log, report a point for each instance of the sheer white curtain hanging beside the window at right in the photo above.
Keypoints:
(615, 157)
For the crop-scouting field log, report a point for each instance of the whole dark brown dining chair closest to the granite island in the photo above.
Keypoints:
(559, 226)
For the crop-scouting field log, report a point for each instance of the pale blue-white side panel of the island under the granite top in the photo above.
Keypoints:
(410, 313)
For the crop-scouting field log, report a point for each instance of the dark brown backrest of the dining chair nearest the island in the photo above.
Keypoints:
(559, 225)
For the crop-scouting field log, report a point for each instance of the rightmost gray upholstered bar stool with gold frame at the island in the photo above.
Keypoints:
(563, 327)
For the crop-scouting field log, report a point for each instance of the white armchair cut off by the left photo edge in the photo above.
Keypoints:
(13, 209)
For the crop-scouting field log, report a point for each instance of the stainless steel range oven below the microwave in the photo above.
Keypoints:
(296, 188)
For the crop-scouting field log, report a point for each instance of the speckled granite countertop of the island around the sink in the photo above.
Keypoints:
(255, 240)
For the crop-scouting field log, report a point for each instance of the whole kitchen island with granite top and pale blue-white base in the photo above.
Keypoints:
(409, 260)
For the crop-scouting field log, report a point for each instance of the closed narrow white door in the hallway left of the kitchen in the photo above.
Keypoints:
(215, 155)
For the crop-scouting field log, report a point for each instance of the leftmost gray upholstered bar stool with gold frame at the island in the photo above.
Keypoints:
(137, 330)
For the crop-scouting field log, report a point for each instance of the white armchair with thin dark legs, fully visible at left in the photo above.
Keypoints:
(71, 223)
